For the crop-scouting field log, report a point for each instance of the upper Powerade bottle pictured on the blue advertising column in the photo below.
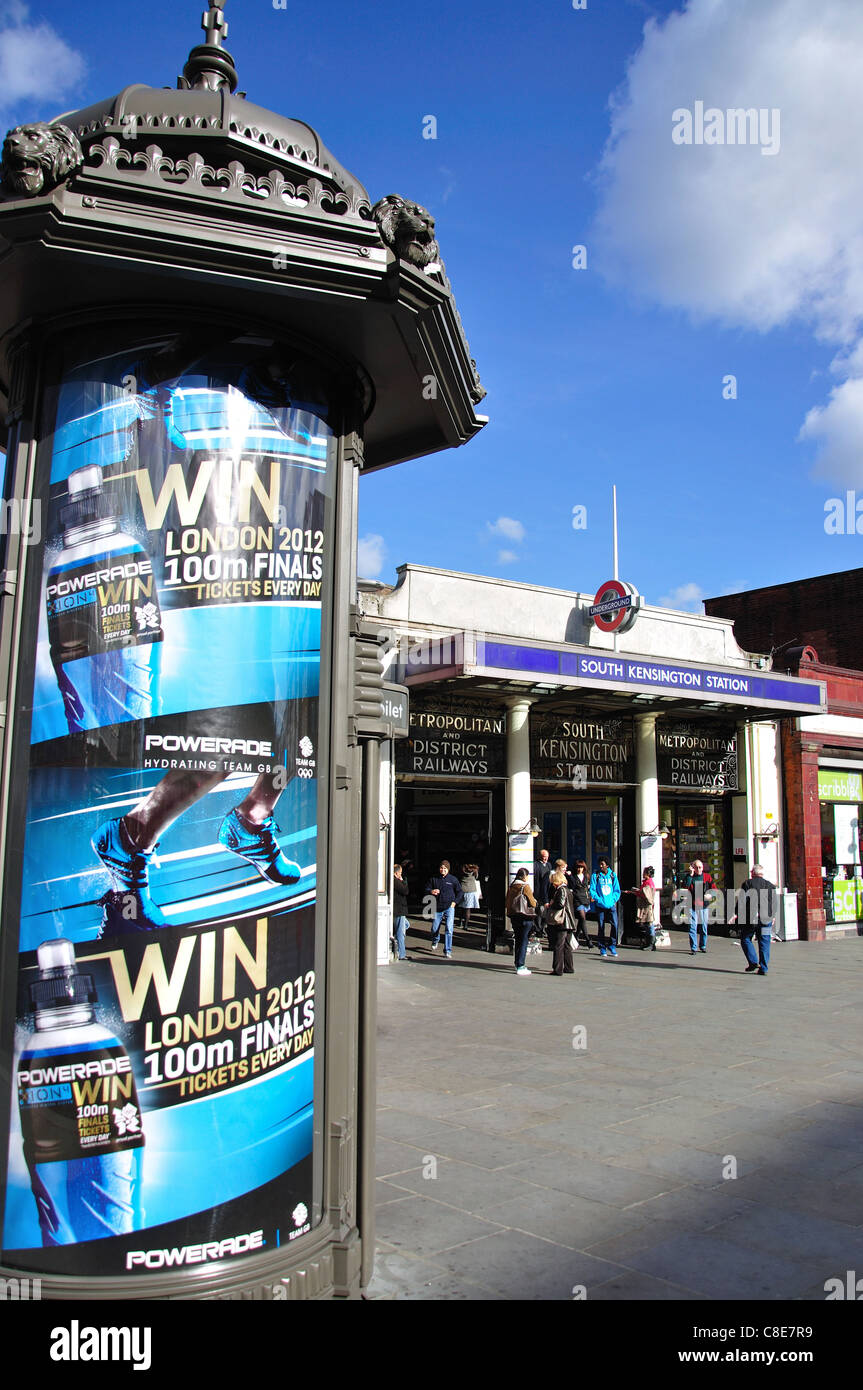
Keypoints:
(104, 615)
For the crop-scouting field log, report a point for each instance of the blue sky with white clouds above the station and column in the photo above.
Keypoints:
(702, 261)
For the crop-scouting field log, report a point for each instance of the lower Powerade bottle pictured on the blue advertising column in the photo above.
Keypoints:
(80, 1113)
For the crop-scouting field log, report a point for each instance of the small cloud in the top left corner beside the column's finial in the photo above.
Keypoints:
(37, 65)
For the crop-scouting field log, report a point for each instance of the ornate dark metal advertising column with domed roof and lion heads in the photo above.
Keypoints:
(208, 332)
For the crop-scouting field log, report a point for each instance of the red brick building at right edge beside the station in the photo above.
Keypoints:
(815, 629)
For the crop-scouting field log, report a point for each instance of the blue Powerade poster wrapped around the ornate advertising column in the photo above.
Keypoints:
(162, 1109)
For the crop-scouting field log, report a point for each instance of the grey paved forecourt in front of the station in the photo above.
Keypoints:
(652, 1128)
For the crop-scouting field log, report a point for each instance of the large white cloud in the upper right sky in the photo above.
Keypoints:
(725, 233)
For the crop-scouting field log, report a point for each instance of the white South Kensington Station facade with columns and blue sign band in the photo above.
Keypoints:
(536, 723)
